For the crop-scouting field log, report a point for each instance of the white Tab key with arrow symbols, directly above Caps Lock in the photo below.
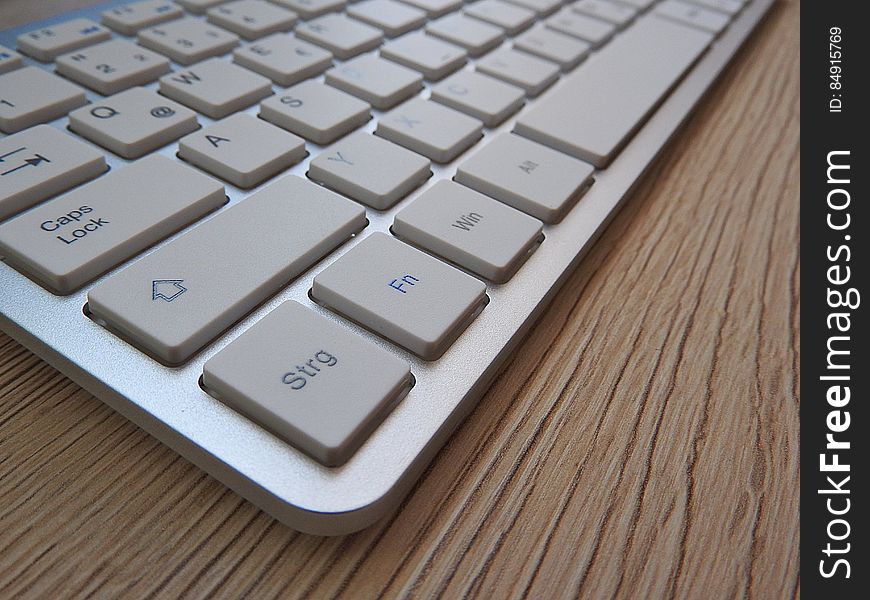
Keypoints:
(40, 162)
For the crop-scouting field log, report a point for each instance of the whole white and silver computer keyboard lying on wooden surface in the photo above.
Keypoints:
(294, 239)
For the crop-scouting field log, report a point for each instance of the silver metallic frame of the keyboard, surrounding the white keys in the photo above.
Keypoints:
(169, 404)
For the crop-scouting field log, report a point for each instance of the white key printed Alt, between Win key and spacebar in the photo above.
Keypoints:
(530, 177)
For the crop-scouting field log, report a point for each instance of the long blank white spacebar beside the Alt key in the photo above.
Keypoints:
(596, 109)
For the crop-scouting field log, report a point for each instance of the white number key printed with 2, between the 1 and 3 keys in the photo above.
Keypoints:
(112, 66)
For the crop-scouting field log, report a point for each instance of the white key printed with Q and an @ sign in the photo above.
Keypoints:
(133, 123)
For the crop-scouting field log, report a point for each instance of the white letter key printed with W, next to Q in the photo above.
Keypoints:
(215, 87)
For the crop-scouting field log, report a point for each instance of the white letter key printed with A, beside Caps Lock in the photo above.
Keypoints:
(242, 149)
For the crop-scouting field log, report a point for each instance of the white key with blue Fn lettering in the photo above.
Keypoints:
(403, 294)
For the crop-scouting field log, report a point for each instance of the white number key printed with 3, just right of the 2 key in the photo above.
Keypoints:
(187, 41)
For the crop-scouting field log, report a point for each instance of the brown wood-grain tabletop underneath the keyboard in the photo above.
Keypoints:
(643, 442)
